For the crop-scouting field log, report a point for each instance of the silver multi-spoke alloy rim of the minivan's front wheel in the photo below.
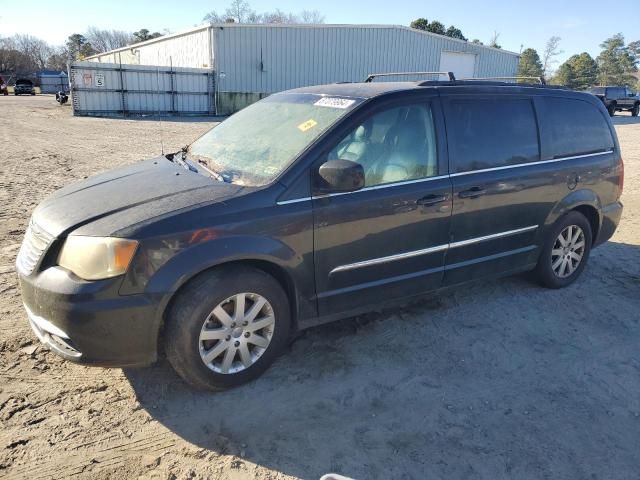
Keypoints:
(236, 333)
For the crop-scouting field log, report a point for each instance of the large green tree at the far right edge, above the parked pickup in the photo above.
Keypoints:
(616, 62)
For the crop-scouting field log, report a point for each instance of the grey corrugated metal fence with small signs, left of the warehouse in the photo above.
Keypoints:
(109, 89)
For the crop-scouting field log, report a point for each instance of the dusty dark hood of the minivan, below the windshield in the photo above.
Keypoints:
(104, 204)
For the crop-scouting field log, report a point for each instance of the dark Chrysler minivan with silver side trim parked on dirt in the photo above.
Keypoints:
(316, 204)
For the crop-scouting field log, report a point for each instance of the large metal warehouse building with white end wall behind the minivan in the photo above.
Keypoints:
(252, 61)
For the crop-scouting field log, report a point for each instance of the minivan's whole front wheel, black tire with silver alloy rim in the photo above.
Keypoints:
(192, 313)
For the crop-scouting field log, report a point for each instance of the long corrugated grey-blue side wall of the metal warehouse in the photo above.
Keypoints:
(269, 58)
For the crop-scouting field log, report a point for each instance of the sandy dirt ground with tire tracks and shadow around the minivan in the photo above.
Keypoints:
(502, 380)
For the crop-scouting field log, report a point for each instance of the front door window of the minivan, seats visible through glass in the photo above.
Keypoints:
(394, 145)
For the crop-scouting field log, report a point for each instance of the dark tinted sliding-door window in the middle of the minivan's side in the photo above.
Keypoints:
(491, 133)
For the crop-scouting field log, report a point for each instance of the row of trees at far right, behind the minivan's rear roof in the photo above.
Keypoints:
(617, 64)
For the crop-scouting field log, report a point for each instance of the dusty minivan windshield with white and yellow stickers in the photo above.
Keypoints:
(259, 142)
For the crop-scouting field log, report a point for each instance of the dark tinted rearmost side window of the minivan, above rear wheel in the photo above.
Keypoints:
(574, 127)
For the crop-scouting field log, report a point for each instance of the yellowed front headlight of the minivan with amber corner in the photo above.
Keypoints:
(95, 258)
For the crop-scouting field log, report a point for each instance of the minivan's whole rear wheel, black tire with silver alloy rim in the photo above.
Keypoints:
(549, 277)
